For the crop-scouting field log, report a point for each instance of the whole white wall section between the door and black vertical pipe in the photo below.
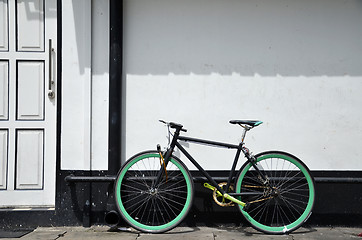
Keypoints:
(85, 67)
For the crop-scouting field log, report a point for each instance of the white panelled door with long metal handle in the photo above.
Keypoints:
(27, 109)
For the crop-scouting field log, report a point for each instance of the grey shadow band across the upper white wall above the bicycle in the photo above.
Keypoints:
(268, 38)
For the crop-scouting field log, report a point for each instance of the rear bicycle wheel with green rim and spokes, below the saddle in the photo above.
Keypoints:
(284, 201)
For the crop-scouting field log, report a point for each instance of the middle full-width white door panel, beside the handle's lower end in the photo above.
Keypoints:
(30, 86)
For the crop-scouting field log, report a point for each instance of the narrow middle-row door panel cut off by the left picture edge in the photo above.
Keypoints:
(4, 89)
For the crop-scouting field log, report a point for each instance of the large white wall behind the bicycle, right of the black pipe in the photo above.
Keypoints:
(296, 65)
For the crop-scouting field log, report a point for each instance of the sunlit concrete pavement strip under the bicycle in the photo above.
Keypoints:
(199, 233)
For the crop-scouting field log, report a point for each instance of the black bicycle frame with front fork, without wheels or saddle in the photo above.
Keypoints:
(240, 148)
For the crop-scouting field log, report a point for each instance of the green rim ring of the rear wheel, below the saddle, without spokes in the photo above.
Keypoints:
(307, 210)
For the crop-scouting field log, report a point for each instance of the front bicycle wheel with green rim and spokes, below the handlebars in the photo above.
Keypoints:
(149, 207)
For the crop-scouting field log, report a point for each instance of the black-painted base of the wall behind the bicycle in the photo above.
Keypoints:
(86, 203)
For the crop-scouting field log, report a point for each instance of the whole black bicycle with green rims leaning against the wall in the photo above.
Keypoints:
(274, 190)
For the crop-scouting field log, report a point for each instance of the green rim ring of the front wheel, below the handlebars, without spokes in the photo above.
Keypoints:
(147, 227)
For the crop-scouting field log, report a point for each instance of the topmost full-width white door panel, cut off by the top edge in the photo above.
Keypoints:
(30, 25)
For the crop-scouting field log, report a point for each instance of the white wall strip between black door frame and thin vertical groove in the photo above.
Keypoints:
(76, 85)
